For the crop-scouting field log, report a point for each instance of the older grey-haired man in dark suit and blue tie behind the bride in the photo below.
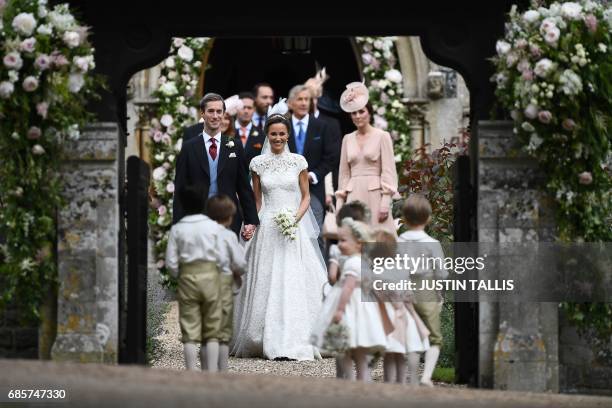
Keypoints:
(311, 138)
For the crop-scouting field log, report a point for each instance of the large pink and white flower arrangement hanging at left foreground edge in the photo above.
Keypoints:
(45, 83)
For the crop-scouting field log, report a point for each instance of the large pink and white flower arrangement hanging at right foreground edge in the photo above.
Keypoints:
(553, 70)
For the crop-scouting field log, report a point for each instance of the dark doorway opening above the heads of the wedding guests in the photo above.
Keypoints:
(236, 64)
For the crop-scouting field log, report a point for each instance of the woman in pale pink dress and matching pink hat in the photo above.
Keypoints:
(367, 162)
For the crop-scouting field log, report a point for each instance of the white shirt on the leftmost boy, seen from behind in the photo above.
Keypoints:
(193, 238)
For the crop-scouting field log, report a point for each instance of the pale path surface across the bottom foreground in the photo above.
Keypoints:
(130, 386)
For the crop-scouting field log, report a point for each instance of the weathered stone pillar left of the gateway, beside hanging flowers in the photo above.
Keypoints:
(88, 256)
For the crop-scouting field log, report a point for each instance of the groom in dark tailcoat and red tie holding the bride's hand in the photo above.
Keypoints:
(218, 163)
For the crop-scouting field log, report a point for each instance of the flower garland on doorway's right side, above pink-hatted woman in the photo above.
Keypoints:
(385, 82)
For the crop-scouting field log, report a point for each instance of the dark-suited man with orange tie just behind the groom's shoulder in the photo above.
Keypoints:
(251, 138)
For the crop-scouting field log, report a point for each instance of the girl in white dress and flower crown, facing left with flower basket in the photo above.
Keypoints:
(362, 321)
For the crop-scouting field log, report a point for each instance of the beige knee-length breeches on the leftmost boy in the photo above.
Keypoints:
(199, 305)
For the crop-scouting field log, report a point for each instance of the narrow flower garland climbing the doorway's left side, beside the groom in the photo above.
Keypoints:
(177, 101)
